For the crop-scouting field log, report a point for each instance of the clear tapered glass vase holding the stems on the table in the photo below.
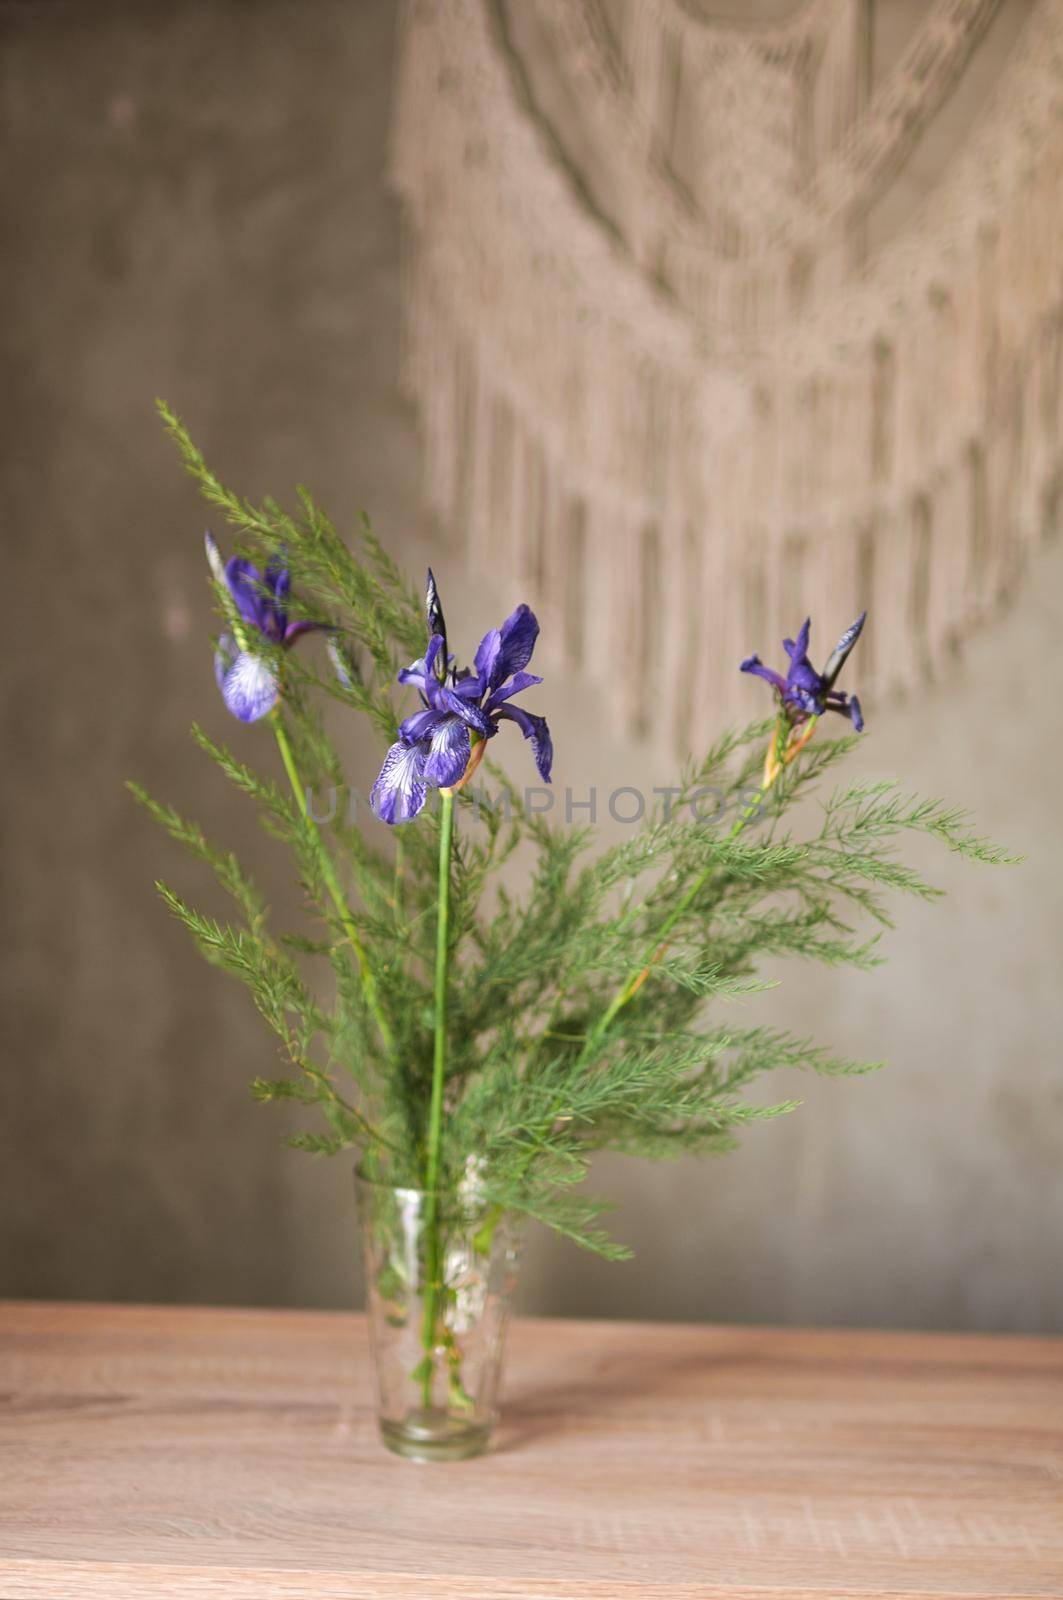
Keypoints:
(441, 1273)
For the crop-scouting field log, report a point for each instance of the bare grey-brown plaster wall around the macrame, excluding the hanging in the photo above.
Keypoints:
(196, 207)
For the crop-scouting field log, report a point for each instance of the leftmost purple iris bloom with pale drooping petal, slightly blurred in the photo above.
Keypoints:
(249, 682)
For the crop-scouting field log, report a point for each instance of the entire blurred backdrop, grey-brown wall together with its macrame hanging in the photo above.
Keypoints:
(676, 319)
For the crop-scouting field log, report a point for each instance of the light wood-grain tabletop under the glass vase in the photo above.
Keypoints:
(228, 1454)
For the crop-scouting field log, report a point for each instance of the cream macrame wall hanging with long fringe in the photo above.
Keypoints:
(684, 375)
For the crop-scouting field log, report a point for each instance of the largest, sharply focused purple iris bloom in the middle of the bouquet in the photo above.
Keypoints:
(460, 711)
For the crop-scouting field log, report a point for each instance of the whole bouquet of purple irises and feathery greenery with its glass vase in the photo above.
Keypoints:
(473, 1046)
